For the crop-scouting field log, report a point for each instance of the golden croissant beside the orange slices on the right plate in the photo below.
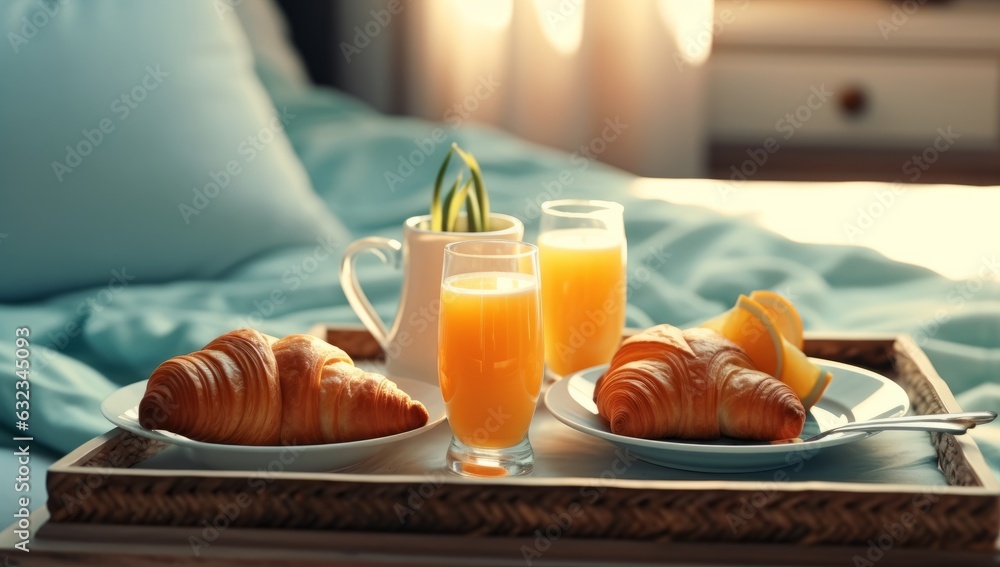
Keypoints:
(693, 384)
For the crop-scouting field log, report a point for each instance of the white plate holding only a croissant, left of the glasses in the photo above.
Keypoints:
(121, 408)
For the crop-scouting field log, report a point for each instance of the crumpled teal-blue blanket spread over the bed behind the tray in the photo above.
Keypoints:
(685, 265)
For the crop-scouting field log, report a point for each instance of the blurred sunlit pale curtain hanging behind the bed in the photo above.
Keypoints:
(623, 79)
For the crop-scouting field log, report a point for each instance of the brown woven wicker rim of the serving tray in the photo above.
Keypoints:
(96, 484)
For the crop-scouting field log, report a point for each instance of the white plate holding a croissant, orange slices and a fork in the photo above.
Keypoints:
(854, 394)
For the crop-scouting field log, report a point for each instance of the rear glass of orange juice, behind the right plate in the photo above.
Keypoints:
(582, 253)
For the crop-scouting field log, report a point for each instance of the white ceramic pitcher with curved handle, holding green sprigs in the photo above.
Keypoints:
(411, 344)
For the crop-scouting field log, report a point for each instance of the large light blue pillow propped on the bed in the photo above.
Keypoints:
(137, 138)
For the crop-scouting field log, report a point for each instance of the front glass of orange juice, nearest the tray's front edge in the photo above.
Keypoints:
(490, 354)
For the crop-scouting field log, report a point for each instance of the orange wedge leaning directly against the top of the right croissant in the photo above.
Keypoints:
(749, 326)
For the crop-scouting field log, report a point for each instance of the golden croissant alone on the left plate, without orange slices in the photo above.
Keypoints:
(247, 388)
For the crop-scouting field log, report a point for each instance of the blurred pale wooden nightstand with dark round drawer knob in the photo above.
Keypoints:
(856, 90)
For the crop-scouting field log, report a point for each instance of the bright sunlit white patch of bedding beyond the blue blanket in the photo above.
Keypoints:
(954, 245)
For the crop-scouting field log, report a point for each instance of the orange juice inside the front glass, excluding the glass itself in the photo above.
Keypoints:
(490, 356)
